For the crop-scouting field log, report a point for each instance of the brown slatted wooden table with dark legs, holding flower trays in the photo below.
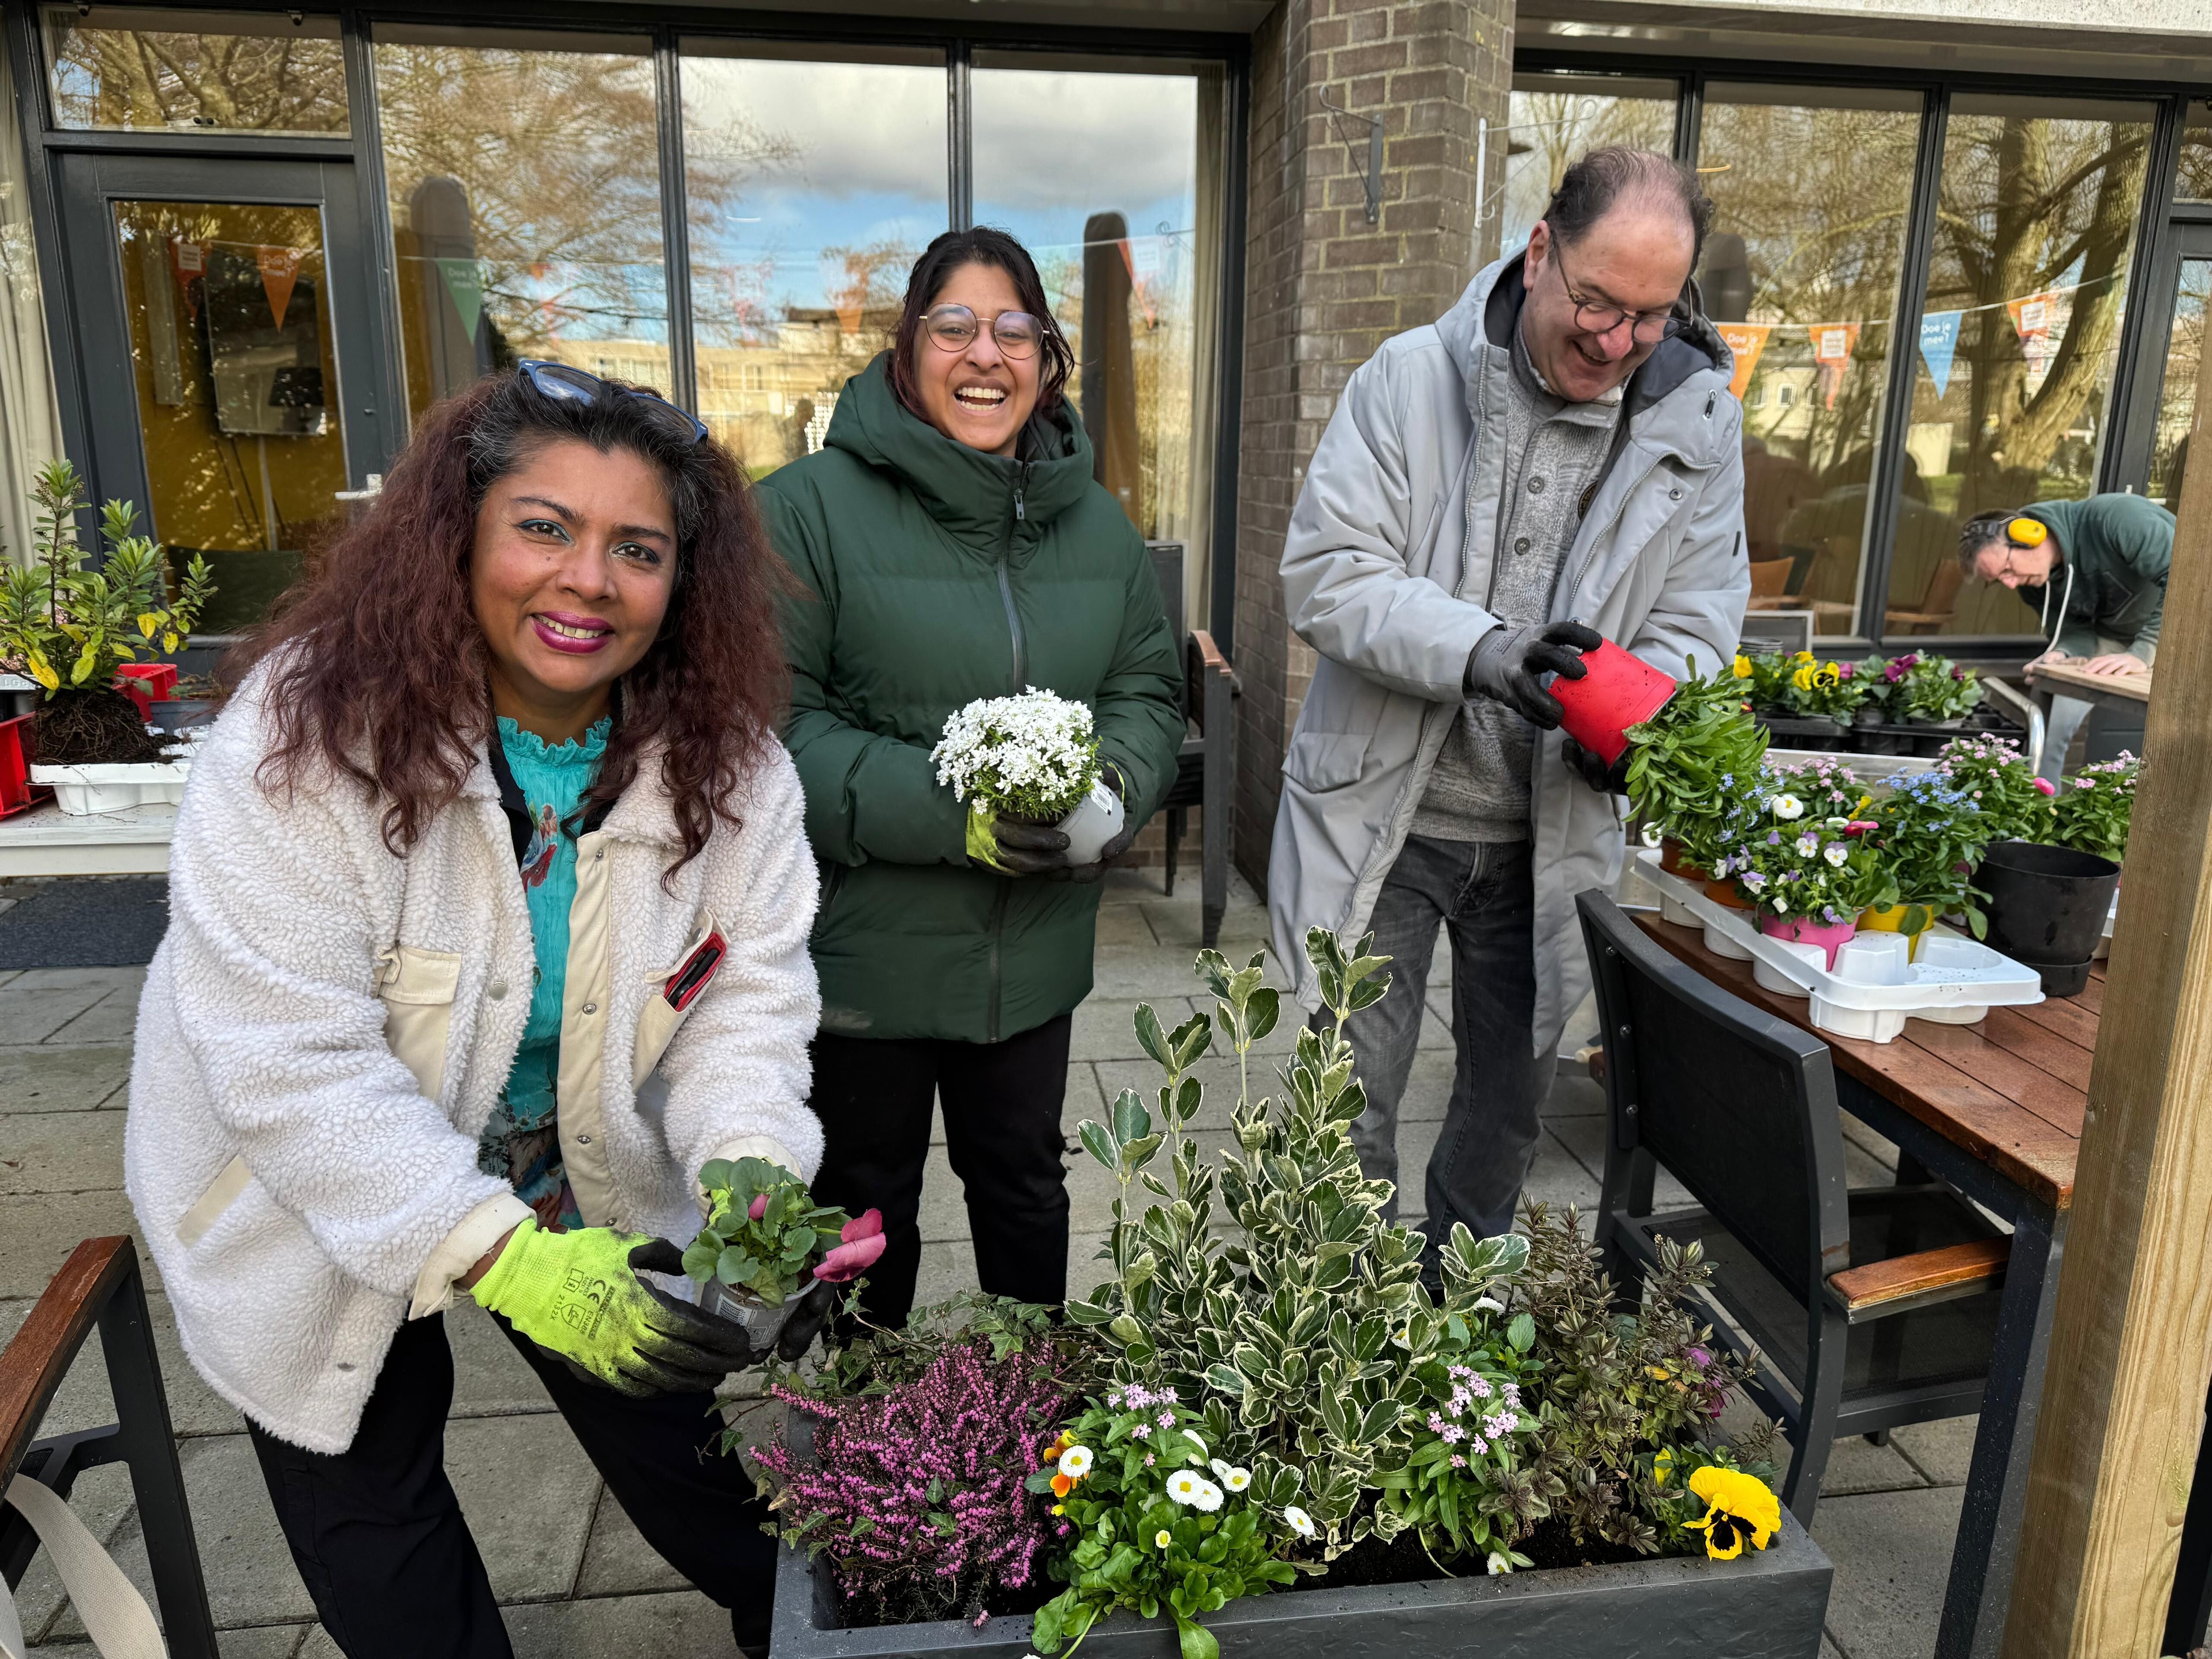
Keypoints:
(1996, 1112)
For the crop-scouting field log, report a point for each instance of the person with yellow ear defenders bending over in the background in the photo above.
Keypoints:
(2105, 561)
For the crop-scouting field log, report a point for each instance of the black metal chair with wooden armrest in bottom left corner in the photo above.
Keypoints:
(101, 1286)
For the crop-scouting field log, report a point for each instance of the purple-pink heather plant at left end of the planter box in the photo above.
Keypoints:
(917, 1496)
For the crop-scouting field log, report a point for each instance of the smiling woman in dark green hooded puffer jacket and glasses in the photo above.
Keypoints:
(954, 545)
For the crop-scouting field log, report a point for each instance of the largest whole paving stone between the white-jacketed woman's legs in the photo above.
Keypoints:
(528, 1492)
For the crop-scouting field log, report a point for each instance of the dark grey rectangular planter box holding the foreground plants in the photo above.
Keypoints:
(1762, 1607)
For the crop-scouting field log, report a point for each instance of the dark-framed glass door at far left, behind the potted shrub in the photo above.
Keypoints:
(227, 355)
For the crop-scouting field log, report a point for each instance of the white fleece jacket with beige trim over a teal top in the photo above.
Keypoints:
(313, 1173)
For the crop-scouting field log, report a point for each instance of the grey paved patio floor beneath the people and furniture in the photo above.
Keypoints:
(567, 1565)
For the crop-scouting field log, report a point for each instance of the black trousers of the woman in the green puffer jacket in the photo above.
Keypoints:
(1001, 1129)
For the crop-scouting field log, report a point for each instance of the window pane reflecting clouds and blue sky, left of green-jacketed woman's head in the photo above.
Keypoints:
(813, 180)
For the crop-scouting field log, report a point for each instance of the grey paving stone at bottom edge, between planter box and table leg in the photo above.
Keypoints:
(1892, 1556)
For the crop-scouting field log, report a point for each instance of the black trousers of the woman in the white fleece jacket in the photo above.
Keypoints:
(388, 1558)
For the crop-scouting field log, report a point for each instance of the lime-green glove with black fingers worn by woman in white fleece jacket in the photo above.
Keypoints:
(578, 1297)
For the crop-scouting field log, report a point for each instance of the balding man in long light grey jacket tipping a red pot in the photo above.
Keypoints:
(1552, 463)
